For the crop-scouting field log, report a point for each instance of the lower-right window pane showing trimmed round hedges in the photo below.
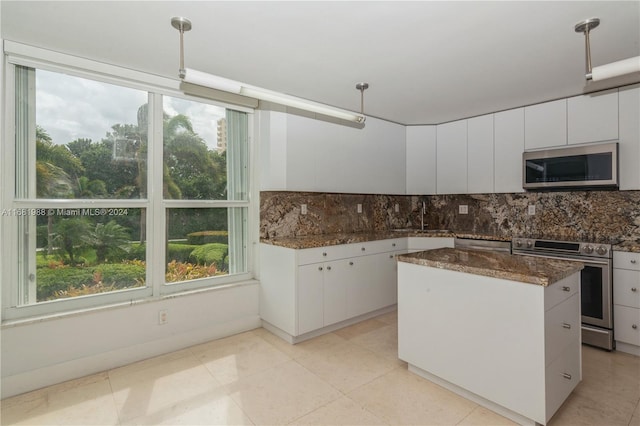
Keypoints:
(205, 242)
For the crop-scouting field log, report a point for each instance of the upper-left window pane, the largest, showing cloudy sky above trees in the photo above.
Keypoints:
(90, 138)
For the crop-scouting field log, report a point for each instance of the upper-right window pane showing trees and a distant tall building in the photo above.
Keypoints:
(195, 150)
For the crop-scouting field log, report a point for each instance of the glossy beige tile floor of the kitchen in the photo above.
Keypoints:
(349, 377)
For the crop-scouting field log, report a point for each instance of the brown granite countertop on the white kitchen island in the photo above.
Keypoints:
(526, 269)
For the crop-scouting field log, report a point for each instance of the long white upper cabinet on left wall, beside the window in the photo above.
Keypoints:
(301, 153)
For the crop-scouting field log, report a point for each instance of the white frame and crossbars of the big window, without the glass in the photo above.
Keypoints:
(155, 204)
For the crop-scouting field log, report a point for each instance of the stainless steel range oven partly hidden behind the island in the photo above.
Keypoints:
(595, 282)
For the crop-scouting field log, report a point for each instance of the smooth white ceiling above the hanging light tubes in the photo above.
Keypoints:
(426, 62)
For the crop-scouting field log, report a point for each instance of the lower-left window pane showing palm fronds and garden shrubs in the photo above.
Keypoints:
(87, 251)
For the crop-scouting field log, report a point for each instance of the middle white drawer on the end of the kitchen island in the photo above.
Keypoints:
(561, 328)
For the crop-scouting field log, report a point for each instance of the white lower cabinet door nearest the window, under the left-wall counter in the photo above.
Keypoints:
(310, 298)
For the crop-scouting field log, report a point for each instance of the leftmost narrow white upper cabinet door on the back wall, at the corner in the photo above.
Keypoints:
(421, 160)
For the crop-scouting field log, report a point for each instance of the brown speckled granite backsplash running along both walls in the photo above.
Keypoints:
(598, 216)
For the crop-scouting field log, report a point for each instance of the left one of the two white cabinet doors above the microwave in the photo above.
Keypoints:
(545, 125)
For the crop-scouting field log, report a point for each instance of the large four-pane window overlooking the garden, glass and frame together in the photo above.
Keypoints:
(119, 193)
